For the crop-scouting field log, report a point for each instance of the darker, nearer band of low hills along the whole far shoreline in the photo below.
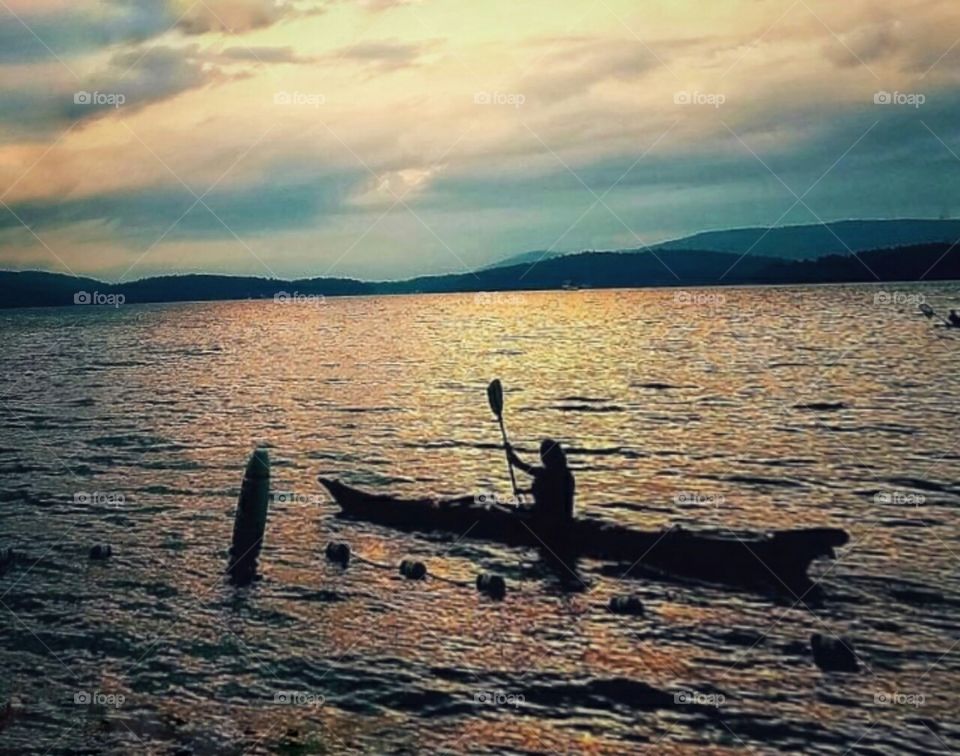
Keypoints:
(601, 270)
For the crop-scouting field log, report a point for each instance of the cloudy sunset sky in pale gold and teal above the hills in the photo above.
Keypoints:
(383, 139)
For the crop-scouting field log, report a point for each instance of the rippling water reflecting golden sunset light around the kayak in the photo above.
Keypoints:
(756, 408)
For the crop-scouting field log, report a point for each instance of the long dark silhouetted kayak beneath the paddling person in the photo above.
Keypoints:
(777, 560)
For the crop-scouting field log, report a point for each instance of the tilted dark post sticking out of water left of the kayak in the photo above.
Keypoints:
(251, 518)
